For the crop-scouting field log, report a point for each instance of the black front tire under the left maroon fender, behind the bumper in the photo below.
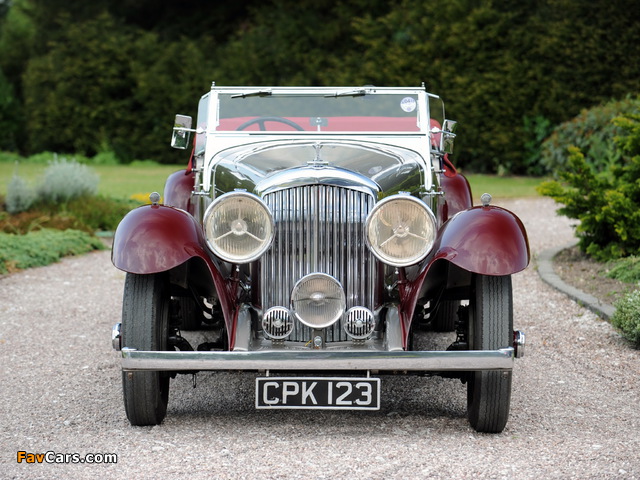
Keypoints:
(145, 317)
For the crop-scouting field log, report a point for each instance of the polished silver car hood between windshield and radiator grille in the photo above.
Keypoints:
(267, 166)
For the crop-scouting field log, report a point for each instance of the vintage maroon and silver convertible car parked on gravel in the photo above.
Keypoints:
(318, 236)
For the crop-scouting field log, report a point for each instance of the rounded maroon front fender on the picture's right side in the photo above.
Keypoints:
(486, 240)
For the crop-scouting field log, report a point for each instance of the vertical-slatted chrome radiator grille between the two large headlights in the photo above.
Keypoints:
(319, 228)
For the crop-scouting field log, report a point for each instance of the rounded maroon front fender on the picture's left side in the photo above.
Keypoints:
(156, 238)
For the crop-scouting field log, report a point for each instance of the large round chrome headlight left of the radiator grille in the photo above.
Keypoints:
(238, 227)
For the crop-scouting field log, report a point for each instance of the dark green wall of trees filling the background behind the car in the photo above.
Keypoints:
(110, 75)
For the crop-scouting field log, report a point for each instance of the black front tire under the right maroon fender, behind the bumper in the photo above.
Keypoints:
(490, 328)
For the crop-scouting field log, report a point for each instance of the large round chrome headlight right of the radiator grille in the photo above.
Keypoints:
(401, 230)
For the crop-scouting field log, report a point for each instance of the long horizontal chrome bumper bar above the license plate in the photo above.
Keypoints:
(379, 361)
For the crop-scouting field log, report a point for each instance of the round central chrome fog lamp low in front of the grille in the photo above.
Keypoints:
(318, 300)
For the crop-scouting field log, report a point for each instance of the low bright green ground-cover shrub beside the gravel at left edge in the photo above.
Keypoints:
(43, 247)
